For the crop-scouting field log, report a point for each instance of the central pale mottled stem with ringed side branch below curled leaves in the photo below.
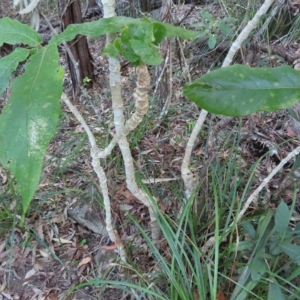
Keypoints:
(141, 98)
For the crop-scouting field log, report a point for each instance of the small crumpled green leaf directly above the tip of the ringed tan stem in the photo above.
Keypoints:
(147, 52)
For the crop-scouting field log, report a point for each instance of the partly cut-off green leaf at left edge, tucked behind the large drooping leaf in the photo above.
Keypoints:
(9, 63)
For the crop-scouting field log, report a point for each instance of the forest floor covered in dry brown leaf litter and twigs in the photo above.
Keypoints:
(58, 254)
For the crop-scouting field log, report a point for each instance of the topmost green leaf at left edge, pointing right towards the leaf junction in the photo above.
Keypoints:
(13, 32)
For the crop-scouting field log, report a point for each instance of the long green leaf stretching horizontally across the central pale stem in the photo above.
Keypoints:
(115, 24)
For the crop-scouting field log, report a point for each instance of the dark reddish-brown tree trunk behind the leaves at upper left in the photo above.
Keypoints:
(70, 13)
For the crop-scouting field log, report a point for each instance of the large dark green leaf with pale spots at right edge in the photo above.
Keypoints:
(240, 90)
